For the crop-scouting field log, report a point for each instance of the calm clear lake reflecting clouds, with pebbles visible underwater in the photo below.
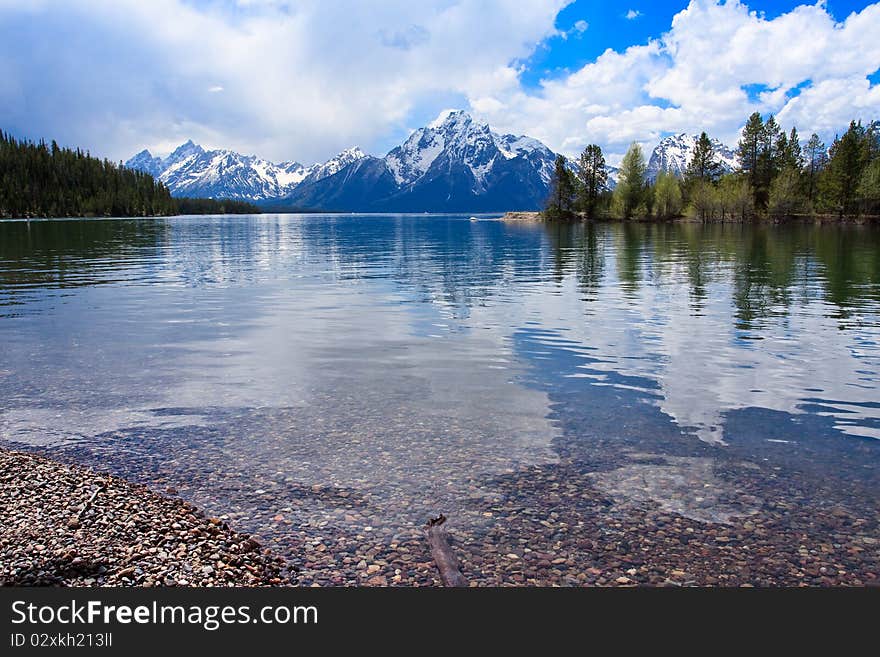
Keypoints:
(608, 403)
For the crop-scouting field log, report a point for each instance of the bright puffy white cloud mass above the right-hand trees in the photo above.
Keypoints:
(810, 70)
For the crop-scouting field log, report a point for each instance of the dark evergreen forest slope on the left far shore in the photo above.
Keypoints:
(40, 180)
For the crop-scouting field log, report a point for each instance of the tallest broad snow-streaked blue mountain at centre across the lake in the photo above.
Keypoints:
(452, 164)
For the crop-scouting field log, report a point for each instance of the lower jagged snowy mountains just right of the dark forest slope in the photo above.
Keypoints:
(194, 172)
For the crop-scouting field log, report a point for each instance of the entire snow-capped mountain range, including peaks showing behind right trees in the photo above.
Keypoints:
(454, 164)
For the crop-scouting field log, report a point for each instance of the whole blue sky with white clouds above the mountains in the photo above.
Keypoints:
(304, 79)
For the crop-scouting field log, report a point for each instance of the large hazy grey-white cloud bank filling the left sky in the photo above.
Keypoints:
(301, 80)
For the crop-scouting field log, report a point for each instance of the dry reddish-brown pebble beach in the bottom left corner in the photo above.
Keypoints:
(64, 525)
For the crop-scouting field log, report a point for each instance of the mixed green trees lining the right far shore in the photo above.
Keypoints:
(777, 176)
